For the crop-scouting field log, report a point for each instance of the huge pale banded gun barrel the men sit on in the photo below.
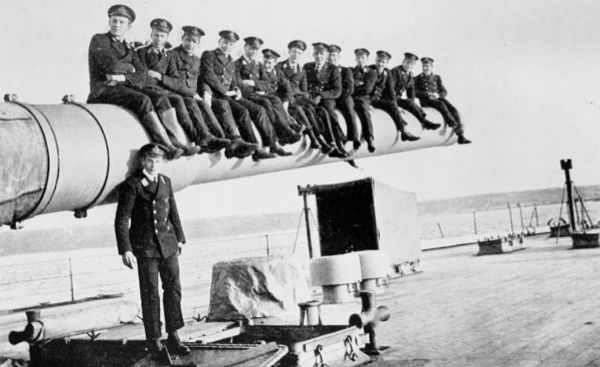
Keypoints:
(72, 156)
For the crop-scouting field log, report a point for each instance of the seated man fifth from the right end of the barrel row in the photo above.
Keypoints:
(344, 102)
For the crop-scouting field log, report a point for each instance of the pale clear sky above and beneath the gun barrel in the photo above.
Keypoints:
(524, 74)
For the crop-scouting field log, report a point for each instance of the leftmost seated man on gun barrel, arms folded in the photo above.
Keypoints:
(118, 77)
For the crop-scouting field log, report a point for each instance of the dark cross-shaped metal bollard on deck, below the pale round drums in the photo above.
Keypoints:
(369, 317)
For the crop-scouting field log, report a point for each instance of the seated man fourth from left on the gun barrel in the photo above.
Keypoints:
(217, 70)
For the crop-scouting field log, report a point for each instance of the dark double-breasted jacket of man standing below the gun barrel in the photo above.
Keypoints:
(155, 227)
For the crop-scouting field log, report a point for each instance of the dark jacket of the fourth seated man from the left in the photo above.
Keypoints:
(217, 71)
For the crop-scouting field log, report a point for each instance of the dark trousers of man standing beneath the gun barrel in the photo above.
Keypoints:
(148, 270)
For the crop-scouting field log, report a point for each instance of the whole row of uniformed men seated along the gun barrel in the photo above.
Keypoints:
(193, 105)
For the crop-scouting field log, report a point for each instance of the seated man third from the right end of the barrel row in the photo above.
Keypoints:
(383, 95)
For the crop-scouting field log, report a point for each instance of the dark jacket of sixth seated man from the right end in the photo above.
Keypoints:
(326, 83)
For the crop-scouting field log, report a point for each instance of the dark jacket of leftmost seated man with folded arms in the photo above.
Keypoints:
(107, 55)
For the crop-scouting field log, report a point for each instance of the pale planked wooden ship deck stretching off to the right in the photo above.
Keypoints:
(535, 307)
